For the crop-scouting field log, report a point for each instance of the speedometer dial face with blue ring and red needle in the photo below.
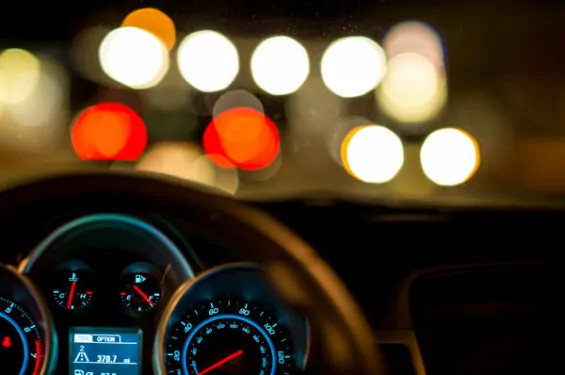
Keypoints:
(228, 336)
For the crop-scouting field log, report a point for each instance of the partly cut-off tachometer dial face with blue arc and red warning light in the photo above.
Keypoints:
(21, 343)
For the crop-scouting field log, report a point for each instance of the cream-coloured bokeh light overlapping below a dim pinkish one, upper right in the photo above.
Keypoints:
(412, 90)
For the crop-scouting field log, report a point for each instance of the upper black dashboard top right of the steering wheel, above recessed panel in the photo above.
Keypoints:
(376, 249)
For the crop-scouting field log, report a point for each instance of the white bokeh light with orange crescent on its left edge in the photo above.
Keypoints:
(372, 153)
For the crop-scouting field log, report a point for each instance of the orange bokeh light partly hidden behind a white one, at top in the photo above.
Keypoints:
(154, 21)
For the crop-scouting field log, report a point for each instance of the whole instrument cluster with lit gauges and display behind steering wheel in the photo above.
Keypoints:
(116, 296)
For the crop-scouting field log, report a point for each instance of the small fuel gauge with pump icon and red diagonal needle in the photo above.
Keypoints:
(141, 290)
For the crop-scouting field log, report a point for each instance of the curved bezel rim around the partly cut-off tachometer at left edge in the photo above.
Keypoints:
(22, 291)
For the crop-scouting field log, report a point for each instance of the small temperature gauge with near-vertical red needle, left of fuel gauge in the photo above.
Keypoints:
(74, 286)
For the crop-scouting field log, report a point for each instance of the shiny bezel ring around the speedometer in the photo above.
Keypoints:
(159, 365)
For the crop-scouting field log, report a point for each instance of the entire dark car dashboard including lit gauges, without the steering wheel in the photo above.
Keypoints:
(112, 286)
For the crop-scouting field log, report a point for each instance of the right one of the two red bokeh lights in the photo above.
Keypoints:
(242, 137)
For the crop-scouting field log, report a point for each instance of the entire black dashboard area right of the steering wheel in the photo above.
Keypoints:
(479, 288)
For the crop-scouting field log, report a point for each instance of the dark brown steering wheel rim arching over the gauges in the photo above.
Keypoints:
(342, 342)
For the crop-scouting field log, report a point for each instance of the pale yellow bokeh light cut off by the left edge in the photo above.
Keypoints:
(19, 75)
